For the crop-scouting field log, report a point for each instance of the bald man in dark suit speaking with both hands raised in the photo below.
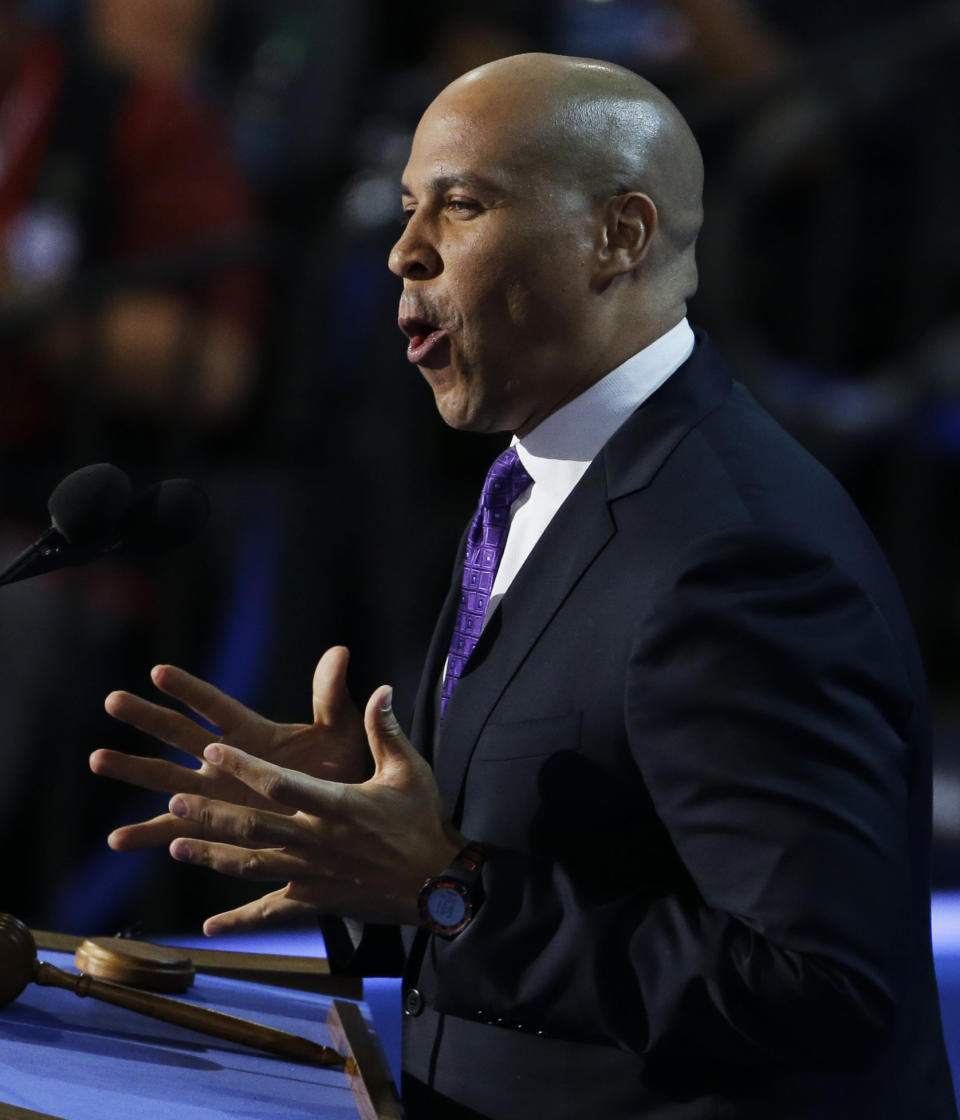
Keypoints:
(691, 740)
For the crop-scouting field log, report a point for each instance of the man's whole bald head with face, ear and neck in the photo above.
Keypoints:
(552, 209)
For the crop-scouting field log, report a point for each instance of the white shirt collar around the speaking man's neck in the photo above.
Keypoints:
(573, 436)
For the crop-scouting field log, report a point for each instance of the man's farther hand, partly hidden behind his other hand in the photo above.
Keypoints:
(333, 748)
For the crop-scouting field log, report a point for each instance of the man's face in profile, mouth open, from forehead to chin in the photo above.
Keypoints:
(496, 260)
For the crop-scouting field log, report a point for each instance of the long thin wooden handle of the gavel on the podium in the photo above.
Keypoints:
(189, 1015)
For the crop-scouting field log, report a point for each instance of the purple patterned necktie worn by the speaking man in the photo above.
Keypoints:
(506, 482)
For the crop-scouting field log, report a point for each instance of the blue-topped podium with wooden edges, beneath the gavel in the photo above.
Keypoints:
(72, 1059)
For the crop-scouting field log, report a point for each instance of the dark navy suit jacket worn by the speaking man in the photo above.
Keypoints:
(695, 738)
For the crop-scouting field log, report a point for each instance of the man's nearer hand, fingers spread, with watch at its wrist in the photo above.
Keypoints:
(359, 851)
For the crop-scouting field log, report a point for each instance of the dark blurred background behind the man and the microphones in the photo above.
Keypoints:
(197, 203)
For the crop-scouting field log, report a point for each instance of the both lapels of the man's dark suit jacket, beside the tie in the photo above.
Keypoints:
(572, 543)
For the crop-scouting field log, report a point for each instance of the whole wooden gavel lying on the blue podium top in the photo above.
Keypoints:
(20, 967)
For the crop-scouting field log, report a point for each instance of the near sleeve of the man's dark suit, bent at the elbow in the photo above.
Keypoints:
(768, 708)
